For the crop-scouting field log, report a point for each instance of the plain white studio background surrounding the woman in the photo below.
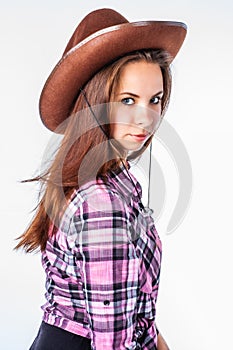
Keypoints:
(195, 300)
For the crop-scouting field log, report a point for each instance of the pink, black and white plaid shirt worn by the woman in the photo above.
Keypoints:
(102, 267)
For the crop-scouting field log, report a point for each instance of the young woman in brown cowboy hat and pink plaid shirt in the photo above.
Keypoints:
(100, 250)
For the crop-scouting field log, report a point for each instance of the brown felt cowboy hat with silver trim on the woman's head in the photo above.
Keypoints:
(101, 37)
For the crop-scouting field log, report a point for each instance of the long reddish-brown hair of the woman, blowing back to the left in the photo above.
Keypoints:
(85, 153)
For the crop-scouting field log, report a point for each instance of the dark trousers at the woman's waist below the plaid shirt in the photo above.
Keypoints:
(54, 338)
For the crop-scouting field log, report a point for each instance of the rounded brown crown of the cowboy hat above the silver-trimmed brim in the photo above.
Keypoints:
(93, 22)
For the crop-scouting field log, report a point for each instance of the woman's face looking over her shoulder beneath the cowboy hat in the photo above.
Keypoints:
(137, 110)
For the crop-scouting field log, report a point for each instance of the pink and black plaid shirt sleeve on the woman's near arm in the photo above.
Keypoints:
(109, 268)
